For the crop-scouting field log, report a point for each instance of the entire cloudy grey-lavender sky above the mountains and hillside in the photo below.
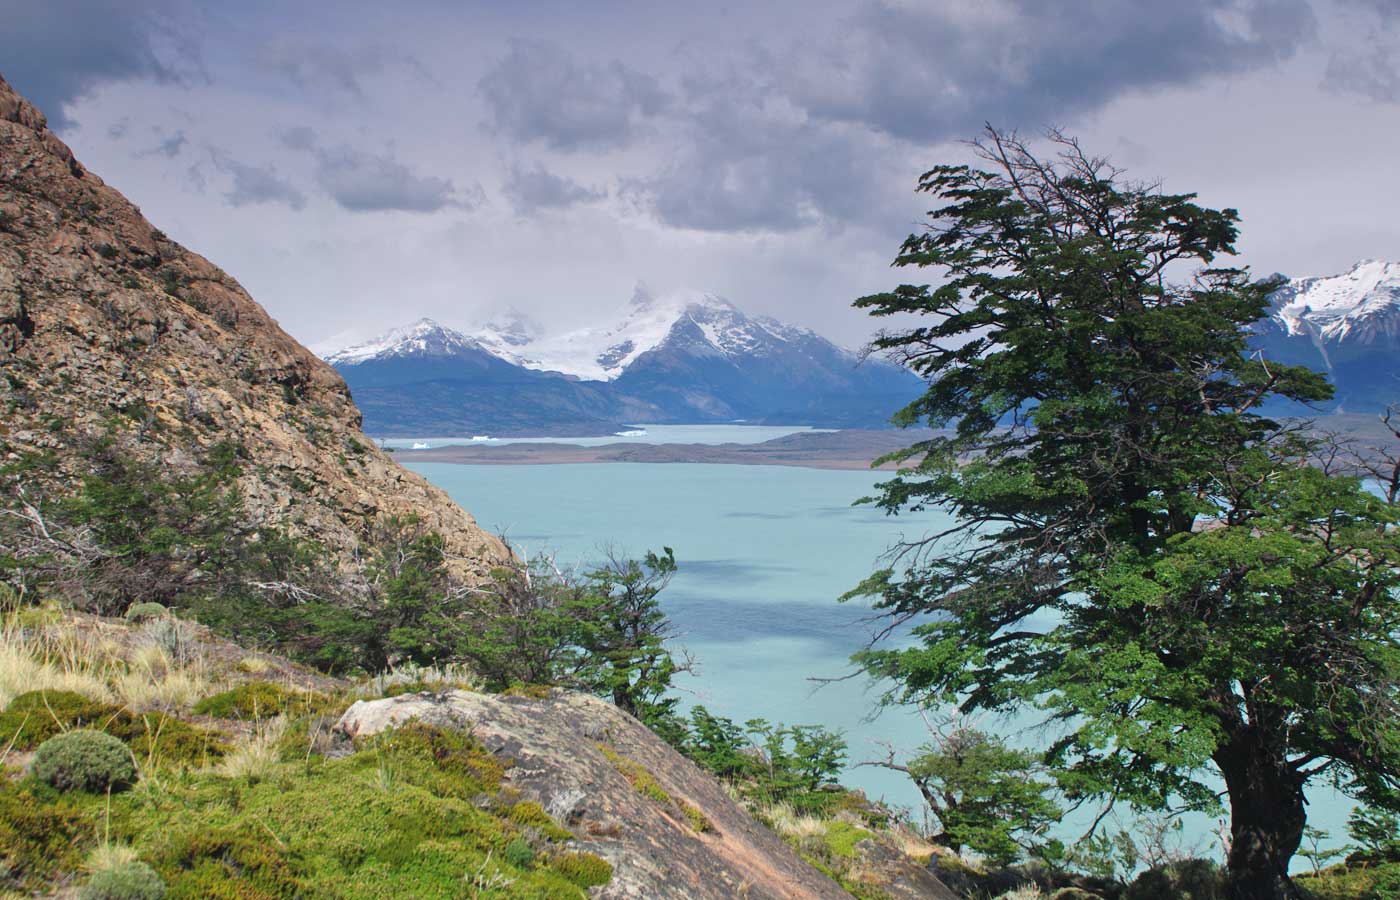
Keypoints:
(359, 166)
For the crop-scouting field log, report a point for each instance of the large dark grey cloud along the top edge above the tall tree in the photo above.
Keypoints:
(932, 73)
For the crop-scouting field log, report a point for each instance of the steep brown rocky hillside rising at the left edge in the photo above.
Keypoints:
(103, 320)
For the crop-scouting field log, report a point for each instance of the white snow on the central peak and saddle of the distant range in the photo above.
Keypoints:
(647, 323)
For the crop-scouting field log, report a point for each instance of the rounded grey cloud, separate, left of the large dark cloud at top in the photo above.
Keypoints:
(540, 93)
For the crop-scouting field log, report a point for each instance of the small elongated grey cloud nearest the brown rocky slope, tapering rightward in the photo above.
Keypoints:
(372, 183)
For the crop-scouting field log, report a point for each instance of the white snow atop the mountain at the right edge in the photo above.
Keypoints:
(1360, 306)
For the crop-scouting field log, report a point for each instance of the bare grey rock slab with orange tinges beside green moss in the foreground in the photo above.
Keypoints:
(587, 765)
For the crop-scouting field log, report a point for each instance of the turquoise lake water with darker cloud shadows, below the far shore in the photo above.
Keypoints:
(764, 555)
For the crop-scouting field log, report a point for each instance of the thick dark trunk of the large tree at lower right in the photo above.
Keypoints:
(1268, 820)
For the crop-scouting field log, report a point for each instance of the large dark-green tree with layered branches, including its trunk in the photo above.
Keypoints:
(1139, 554)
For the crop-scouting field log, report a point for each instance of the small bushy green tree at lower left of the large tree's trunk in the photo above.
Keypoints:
(986, 797)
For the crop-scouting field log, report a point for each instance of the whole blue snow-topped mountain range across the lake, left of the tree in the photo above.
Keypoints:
(678, 358)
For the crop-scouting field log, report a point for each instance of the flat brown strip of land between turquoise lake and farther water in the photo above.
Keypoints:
(835, 450)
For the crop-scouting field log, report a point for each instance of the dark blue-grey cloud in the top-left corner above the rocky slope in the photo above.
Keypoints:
(58, 51)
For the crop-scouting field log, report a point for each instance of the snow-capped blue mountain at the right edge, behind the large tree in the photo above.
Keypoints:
(1346, 325)
